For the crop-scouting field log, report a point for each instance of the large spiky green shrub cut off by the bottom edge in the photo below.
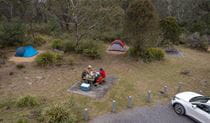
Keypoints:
(59, 114)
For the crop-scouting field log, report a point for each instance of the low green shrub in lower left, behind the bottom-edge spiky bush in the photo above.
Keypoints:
(27, 101)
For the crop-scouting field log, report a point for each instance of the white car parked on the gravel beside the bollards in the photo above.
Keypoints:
(192, 104)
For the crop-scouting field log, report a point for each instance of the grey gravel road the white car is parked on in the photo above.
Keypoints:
(154, 114)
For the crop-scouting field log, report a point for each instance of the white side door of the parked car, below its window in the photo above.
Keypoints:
(197, 112)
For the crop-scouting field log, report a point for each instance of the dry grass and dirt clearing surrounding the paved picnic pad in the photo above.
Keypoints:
(135, 78)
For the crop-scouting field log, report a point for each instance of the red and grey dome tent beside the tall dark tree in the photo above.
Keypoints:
(118, 45)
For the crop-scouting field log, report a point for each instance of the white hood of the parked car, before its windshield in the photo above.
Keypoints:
(186, 96)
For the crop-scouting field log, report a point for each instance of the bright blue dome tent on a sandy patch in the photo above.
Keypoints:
(27, 51)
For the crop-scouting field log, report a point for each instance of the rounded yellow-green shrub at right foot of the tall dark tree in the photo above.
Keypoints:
(153, 54)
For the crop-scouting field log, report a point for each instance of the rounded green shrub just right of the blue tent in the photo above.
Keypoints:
(48, 58)
